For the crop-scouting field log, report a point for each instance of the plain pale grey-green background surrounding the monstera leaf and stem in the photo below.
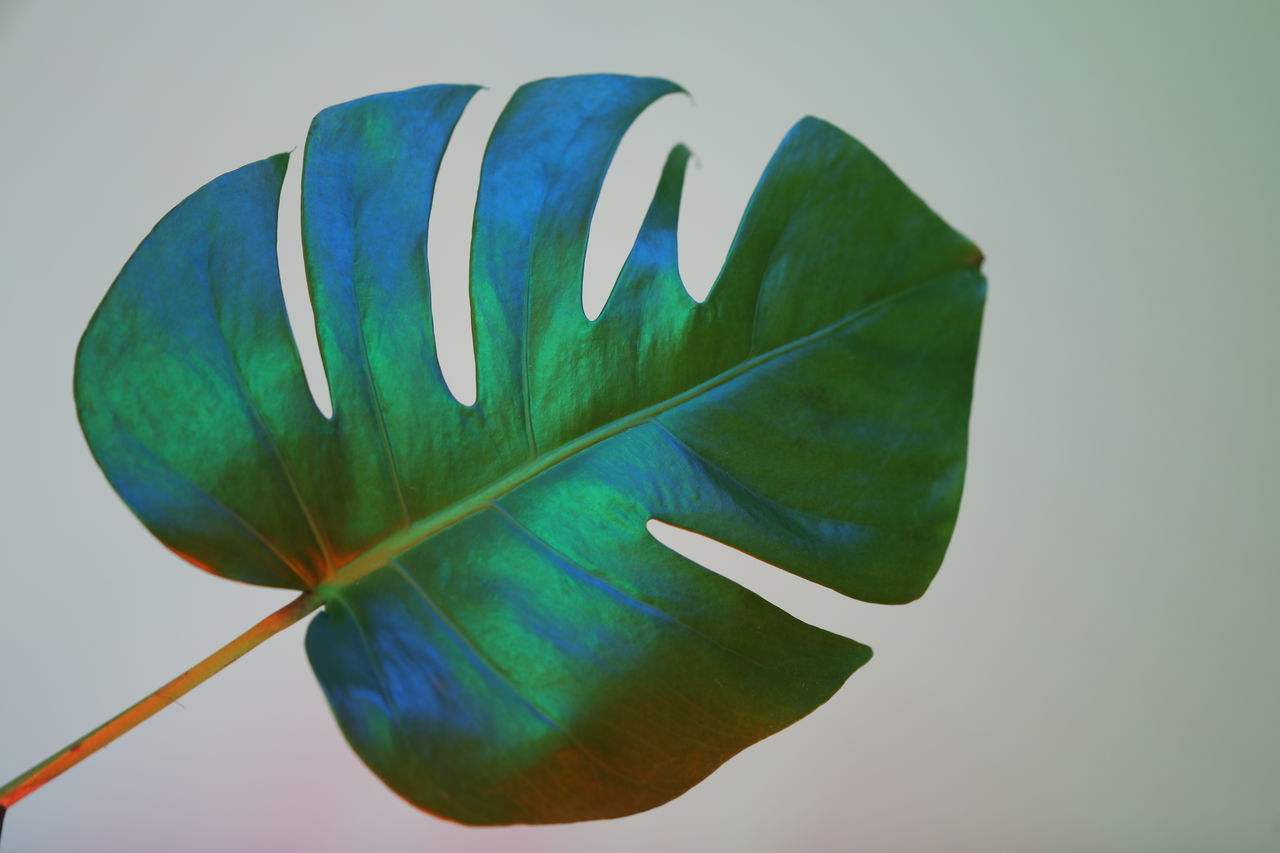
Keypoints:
(1095, 668)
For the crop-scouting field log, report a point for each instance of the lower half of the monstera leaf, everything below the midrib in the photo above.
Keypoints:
(614, 673)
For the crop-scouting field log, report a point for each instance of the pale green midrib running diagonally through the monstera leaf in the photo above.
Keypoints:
(382, 554)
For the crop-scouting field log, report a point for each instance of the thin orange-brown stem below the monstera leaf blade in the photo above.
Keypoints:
(86, 746)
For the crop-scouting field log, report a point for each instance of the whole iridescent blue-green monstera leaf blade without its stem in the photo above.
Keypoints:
(502, 641)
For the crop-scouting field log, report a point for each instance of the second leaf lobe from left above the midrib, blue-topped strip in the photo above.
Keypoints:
(367, 197)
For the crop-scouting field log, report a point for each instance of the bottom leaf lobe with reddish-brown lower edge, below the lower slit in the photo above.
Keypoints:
(492, 678)
